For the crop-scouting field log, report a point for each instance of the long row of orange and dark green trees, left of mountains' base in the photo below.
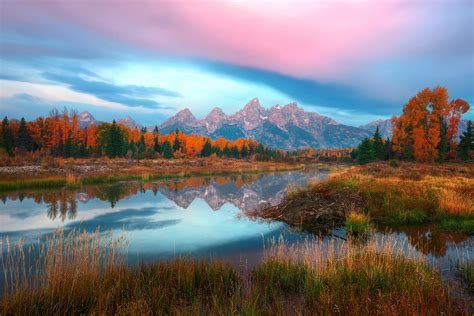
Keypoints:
(60, 135)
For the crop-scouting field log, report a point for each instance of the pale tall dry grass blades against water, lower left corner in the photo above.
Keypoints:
(57, 262)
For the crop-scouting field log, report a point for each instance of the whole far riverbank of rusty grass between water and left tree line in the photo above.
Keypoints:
(72, 173)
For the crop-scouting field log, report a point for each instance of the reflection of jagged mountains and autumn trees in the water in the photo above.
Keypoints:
(243, 191)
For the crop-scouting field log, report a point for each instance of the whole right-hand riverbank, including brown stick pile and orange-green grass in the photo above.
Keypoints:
(388, 195)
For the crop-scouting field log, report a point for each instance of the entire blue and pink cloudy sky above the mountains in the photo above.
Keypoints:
(352, 60)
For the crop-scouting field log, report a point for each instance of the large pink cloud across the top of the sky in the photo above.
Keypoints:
(313, 39)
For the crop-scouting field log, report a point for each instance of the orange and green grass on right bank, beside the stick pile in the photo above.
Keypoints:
(413, 194)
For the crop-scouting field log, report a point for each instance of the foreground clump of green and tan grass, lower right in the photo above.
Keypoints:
(349, 278)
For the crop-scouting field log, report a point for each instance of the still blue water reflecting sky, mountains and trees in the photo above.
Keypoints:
(199, 217)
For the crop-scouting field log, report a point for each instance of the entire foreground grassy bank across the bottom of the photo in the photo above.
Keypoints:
(90, 276)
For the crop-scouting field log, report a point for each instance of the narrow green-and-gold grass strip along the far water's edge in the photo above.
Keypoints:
(75, 180)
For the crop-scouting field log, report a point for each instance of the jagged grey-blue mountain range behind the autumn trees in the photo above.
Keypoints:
(283, 127)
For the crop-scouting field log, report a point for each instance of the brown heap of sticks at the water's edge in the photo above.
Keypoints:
(313, 209)
